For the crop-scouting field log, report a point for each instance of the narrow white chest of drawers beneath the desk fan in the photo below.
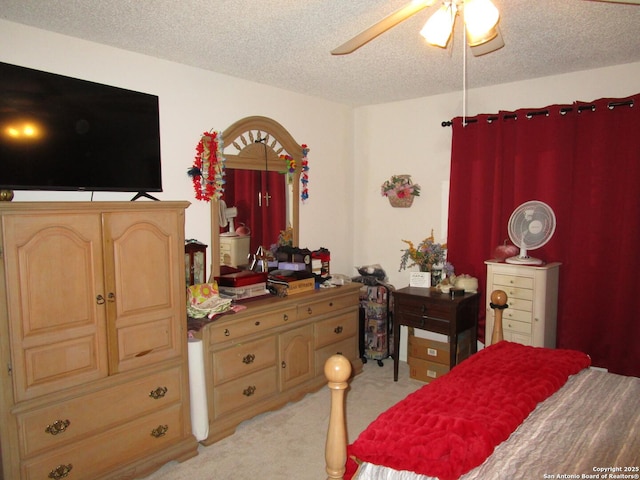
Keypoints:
(532, 296)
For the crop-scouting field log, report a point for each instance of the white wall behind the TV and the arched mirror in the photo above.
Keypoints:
(193, 101)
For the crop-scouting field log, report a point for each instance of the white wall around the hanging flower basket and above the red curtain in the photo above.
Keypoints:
(407, 137)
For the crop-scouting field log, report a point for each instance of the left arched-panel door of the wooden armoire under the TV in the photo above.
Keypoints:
(55, 298)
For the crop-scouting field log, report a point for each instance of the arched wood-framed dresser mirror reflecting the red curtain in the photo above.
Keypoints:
(260, 197)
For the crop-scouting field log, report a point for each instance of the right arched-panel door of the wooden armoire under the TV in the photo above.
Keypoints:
(143, 276)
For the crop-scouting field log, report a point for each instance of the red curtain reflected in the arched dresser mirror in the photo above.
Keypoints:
(265, 217)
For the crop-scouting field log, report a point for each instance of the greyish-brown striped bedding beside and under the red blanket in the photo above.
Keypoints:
(591, 423)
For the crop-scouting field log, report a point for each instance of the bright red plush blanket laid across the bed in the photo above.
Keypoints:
(453, 424)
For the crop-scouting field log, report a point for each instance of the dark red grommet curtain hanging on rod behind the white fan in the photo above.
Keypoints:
(583, 160)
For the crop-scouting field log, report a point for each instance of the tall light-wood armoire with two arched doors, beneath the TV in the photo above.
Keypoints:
(94, 373)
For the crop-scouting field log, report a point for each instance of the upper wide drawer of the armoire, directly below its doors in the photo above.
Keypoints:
(61, 423)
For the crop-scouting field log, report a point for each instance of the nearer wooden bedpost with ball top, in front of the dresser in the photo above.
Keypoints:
(337, 369)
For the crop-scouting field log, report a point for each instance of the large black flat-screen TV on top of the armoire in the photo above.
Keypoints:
(62, 133)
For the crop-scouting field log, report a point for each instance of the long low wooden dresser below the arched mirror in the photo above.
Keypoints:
(274, 352)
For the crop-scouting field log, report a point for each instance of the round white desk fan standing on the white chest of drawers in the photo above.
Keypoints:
(531, 225)
